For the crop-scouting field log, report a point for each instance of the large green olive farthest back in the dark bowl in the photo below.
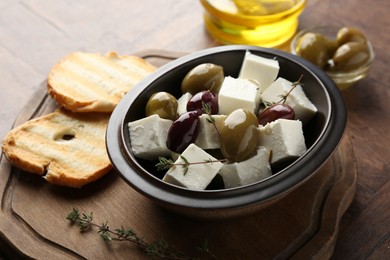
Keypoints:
(205, 76)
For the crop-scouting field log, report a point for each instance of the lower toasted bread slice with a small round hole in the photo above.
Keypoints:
(66, 148)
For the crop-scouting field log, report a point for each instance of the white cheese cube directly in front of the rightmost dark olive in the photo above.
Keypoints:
(284, 138)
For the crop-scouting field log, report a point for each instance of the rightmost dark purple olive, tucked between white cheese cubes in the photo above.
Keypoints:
(275, 112)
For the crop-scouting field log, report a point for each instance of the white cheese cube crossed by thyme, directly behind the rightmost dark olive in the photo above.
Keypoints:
(304, 109)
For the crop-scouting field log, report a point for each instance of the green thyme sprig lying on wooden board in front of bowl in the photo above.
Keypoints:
(159, 248)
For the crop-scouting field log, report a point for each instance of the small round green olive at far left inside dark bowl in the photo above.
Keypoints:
(162, 104)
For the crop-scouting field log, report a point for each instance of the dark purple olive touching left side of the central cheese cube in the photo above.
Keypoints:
(206, 97)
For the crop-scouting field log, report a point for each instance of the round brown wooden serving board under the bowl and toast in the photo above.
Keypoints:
(303, 224)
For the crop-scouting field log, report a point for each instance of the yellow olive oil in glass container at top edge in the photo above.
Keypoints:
(266, 23)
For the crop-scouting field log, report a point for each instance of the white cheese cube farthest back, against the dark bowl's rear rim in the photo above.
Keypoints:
(260, 69)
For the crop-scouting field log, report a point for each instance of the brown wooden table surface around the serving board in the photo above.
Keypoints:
(35, 34)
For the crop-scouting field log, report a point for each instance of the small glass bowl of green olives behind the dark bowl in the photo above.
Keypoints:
(345, 53)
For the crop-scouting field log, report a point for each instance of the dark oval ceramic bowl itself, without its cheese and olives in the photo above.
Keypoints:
(322, 134)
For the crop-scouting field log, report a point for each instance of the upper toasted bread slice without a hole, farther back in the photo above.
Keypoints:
(88, 82)
